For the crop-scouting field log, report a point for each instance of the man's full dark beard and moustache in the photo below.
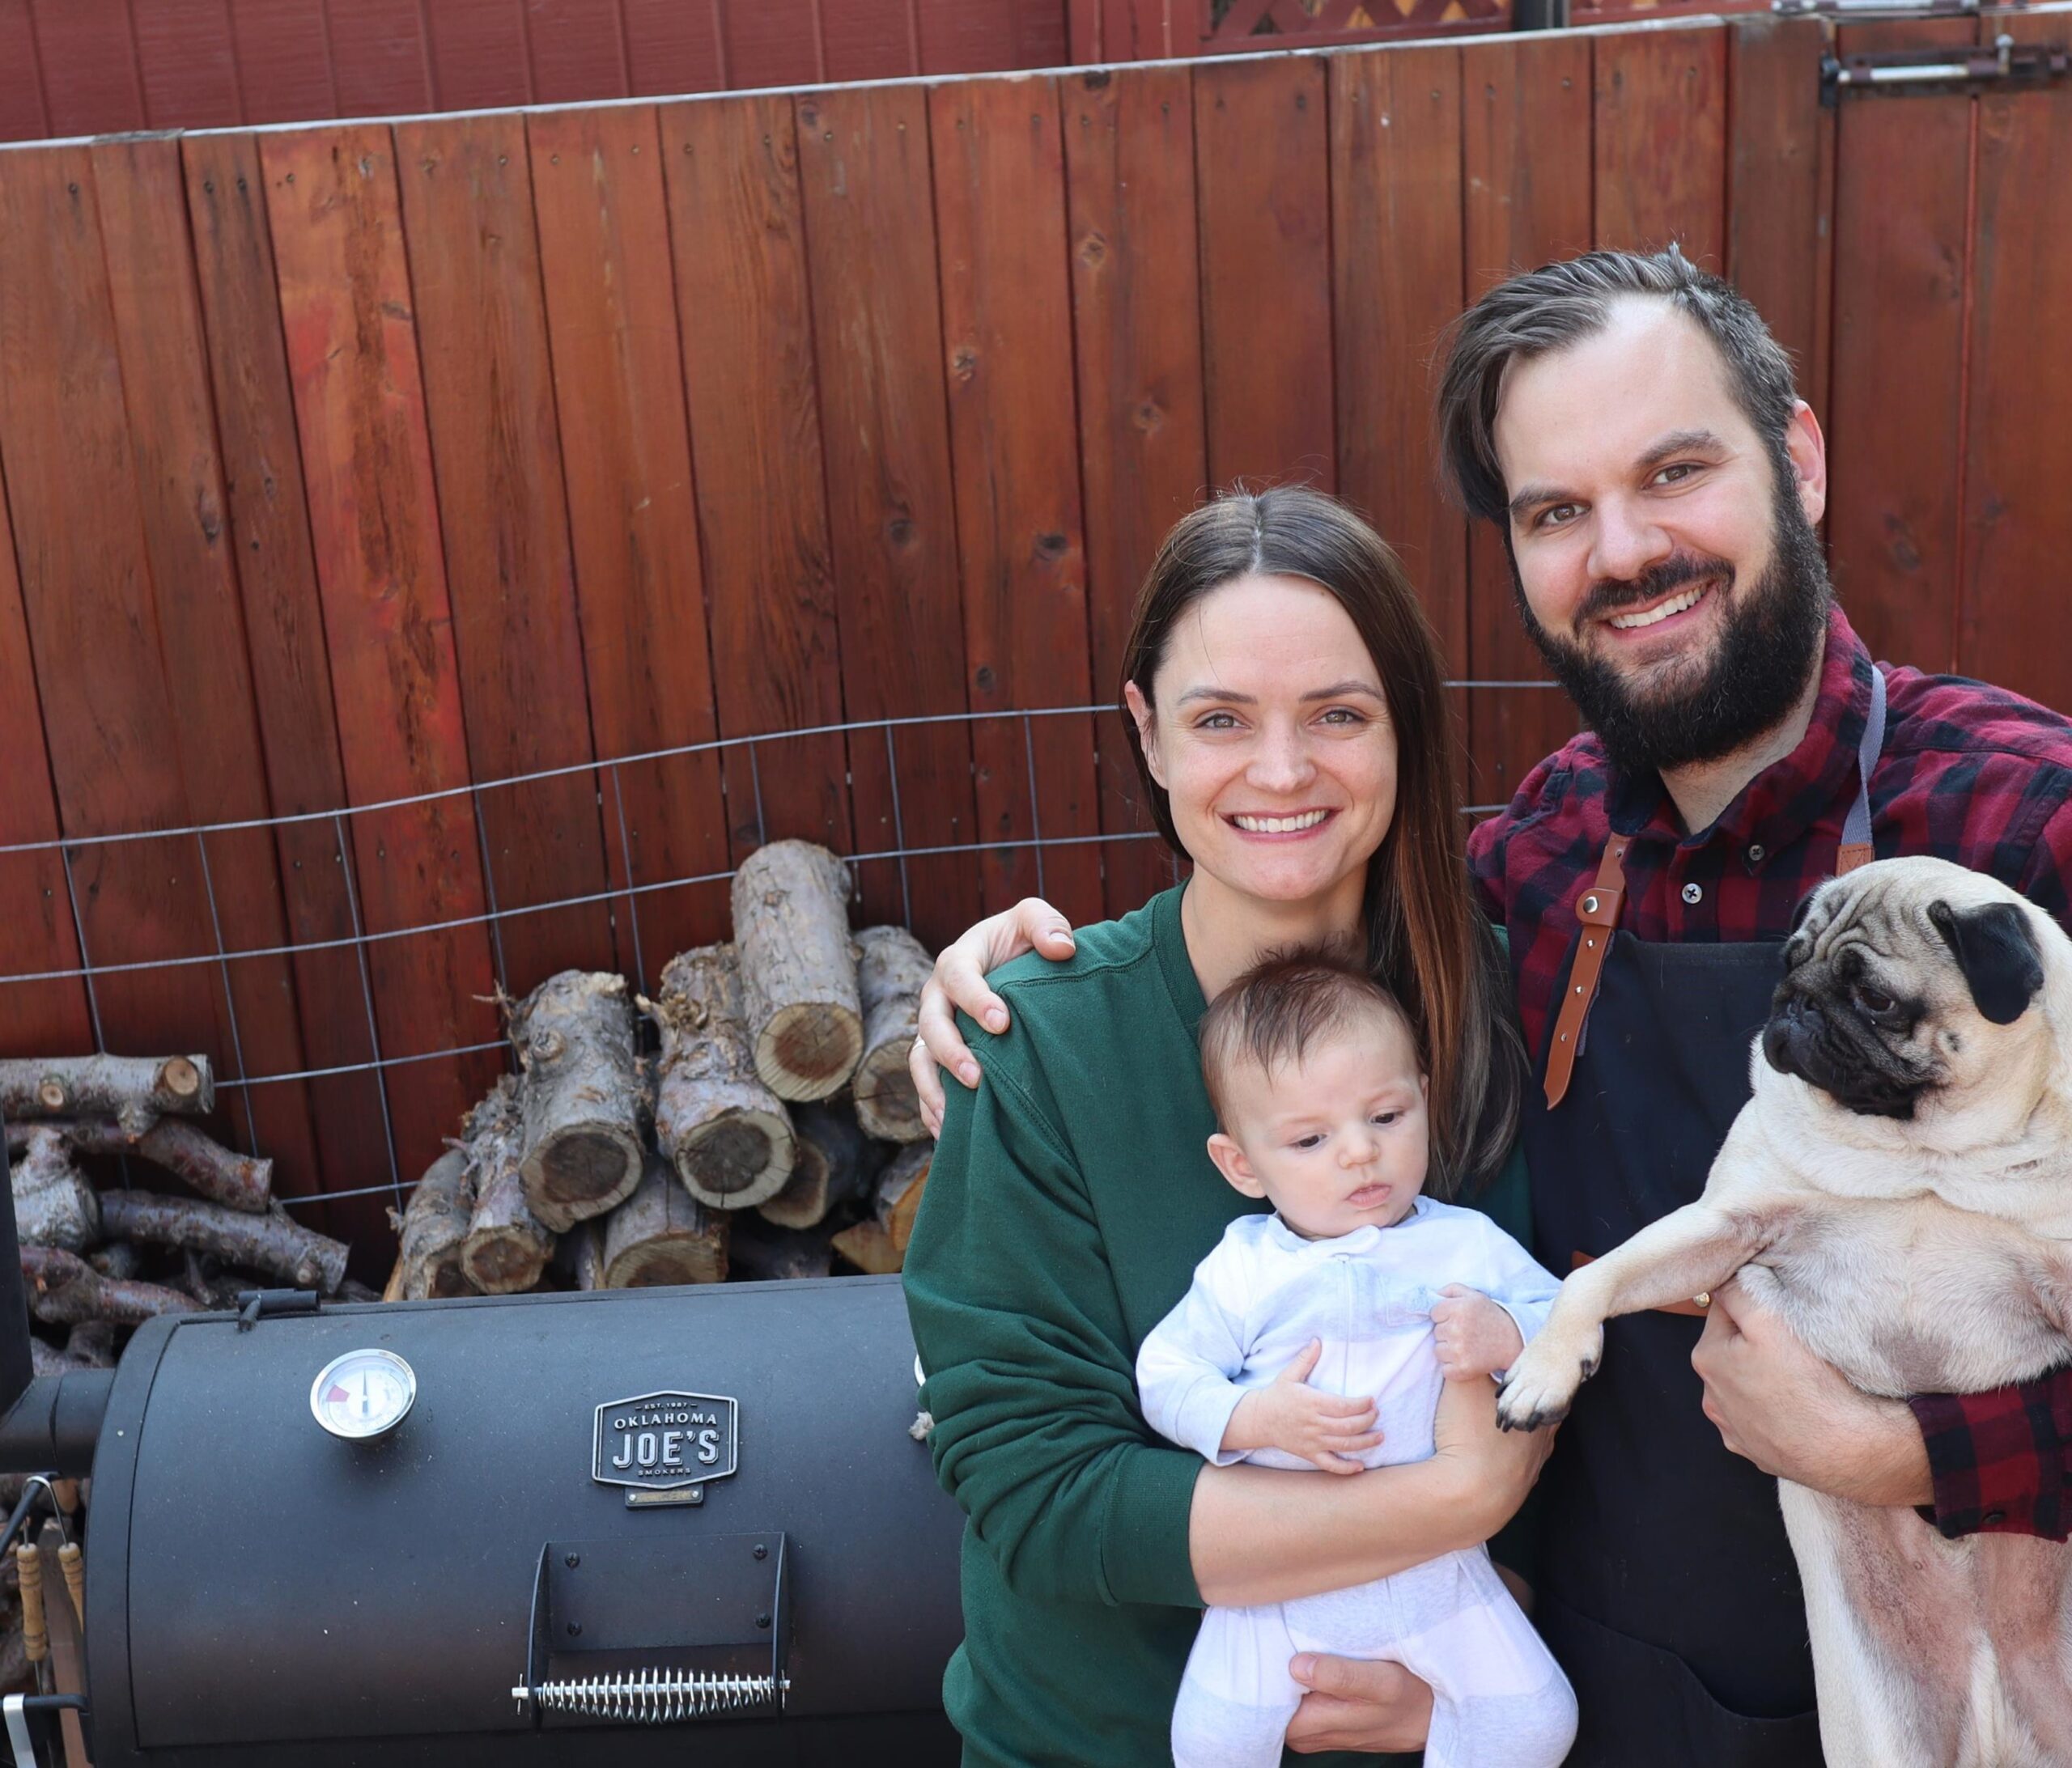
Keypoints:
(1766, 653)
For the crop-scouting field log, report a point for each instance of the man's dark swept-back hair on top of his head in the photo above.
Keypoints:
(1557, 305)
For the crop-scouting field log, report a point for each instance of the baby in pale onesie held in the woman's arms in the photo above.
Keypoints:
(1319, 1338)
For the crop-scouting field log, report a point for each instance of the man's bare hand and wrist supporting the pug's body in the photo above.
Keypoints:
(1795, 1417)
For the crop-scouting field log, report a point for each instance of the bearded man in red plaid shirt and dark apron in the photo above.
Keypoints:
(1634, 430)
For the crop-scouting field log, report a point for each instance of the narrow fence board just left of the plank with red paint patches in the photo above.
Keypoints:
(289, 666)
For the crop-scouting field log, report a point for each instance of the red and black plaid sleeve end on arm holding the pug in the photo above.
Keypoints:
(2003, 1461)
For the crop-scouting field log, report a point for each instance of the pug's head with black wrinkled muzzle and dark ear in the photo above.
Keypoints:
(1903, 980)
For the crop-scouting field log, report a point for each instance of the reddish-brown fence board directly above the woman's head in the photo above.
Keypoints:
(1265, 191)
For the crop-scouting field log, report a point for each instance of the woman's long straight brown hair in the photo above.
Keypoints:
(1427, 941)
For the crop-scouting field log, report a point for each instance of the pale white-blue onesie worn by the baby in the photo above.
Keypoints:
(1499, 1701)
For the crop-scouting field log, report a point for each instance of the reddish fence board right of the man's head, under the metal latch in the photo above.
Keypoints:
(1899, 349)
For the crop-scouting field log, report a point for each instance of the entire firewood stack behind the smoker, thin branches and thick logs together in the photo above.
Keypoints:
(753, 1121)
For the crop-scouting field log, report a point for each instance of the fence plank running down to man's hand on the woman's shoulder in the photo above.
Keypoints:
(1008, 332)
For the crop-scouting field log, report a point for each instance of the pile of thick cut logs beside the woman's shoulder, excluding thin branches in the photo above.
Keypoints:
(753, 1121)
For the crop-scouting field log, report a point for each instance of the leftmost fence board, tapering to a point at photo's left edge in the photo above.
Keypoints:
(36, 918)
